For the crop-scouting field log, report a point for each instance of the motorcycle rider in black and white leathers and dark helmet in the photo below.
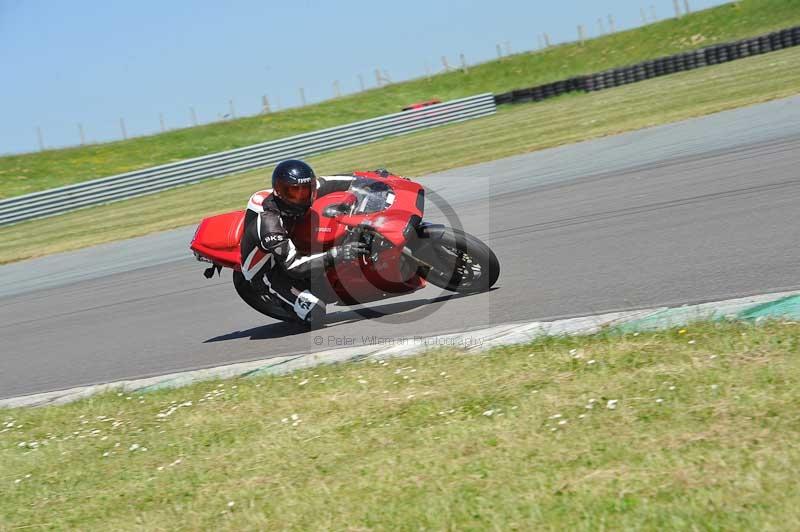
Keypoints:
(269, 257)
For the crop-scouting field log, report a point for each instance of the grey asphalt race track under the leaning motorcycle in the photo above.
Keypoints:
(701, 210)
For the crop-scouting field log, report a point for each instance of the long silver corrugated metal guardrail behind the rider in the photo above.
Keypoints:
(156, 179)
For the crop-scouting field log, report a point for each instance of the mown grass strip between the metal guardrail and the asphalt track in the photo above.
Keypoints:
(515, 129)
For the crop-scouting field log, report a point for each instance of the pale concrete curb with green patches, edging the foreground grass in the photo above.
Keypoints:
(782, 305)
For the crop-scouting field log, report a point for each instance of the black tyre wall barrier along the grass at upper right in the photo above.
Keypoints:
(662, 66)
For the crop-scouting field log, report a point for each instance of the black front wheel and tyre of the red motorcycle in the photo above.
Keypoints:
(449, 255)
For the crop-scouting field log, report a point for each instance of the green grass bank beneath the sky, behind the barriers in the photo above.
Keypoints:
(38, 171)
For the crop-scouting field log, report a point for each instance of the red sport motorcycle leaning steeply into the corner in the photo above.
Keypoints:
(384, 211)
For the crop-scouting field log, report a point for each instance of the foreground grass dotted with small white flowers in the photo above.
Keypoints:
(703, 435)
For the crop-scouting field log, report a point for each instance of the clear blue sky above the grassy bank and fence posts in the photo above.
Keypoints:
(92, 62)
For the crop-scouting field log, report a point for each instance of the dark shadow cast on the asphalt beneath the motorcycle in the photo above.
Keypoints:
(282, 329)
